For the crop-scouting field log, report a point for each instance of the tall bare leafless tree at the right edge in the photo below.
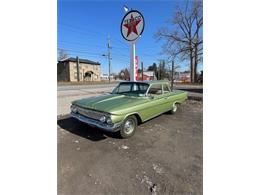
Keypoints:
(185, 40)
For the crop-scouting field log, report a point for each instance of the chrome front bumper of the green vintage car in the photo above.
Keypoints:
(111, 128)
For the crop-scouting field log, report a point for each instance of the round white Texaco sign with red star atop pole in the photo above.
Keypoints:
(132, 25)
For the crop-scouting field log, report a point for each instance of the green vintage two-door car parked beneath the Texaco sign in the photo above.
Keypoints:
(129, 104)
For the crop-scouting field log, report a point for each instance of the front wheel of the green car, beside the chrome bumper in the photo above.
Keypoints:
(128, 127)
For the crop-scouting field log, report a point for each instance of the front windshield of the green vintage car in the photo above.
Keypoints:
(136, 89)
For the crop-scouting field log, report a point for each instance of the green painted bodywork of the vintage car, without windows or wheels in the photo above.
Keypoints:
(119, 106)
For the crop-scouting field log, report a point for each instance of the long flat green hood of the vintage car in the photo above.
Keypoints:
(111, 103)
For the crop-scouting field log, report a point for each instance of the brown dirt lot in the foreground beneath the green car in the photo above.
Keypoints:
(164, 156)
